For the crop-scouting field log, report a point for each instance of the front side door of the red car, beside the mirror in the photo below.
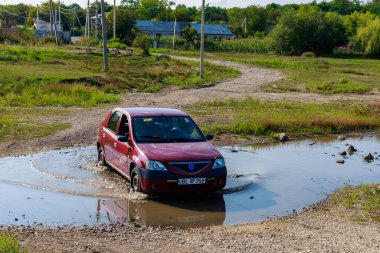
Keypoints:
(122, 148)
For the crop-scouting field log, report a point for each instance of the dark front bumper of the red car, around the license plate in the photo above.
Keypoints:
(166, 181)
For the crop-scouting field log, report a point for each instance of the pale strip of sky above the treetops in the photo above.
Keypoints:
(222, 3)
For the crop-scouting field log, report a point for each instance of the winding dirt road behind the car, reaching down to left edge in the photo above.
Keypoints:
(85, 121)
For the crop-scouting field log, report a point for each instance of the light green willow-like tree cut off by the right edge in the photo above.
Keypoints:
(368, 37)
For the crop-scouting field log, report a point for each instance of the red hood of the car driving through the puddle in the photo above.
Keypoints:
(175, 152)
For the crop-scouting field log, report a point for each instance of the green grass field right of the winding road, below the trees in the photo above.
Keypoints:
(326, 75)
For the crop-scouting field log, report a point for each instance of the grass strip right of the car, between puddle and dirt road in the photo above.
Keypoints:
(254, 117)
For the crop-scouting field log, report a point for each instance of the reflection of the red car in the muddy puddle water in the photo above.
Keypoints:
(184, 212)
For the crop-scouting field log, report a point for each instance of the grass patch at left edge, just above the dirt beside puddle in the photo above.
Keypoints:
(27, 123)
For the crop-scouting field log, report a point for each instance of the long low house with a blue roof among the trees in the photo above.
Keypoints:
(166, 28)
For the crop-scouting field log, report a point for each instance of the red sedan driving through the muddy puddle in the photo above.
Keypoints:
(160, 150)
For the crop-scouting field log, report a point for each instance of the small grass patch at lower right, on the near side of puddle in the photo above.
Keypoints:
(365, 197)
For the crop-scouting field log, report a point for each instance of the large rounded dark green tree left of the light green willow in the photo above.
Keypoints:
(308, 29)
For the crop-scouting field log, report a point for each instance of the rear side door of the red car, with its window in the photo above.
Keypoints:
(110, 139)
